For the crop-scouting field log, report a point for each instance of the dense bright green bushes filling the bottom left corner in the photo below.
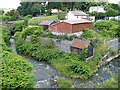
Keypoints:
(16, 71)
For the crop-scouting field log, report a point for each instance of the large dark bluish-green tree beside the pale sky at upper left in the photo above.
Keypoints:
(32, 8)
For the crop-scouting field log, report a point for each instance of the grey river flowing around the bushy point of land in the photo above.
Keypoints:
(44, 74)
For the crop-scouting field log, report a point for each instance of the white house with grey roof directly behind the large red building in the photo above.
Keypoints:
(75, 15)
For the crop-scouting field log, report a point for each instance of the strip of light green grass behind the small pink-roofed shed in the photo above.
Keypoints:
(38, 20)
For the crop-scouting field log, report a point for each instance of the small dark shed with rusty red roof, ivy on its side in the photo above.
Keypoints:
(78, 45)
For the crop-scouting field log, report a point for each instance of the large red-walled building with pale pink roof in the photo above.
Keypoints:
(70, 26)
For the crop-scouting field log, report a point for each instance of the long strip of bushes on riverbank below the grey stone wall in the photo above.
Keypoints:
(61, 61)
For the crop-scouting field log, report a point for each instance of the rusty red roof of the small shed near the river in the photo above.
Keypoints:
(78, 43)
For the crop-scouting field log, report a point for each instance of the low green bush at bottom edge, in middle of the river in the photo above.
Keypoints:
(62, 83)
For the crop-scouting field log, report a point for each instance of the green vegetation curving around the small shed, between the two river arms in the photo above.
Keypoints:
(68, 64)
